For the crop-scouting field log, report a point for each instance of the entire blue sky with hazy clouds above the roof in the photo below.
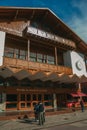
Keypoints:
(72, 12)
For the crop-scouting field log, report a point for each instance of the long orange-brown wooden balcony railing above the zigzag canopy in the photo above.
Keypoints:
(35, 65)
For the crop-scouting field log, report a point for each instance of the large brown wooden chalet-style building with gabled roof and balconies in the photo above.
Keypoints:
(41, 59)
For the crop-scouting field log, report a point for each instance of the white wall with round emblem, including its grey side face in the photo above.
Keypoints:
(76, 62)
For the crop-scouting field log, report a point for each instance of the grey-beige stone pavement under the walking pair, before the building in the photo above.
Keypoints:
(30, 124)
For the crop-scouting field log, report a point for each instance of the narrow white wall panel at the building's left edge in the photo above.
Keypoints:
(2, 42)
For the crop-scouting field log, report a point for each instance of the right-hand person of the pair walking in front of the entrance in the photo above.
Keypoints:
(41, 114)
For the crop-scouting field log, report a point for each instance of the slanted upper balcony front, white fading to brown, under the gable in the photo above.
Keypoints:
(48, 36)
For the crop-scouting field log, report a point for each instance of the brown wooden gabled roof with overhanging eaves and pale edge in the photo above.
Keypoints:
(49, 18)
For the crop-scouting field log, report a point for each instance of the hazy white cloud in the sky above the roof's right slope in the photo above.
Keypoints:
(79, 22)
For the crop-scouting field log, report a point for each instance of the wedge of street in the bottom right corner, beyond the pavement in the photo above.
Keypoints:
(82, 125)
